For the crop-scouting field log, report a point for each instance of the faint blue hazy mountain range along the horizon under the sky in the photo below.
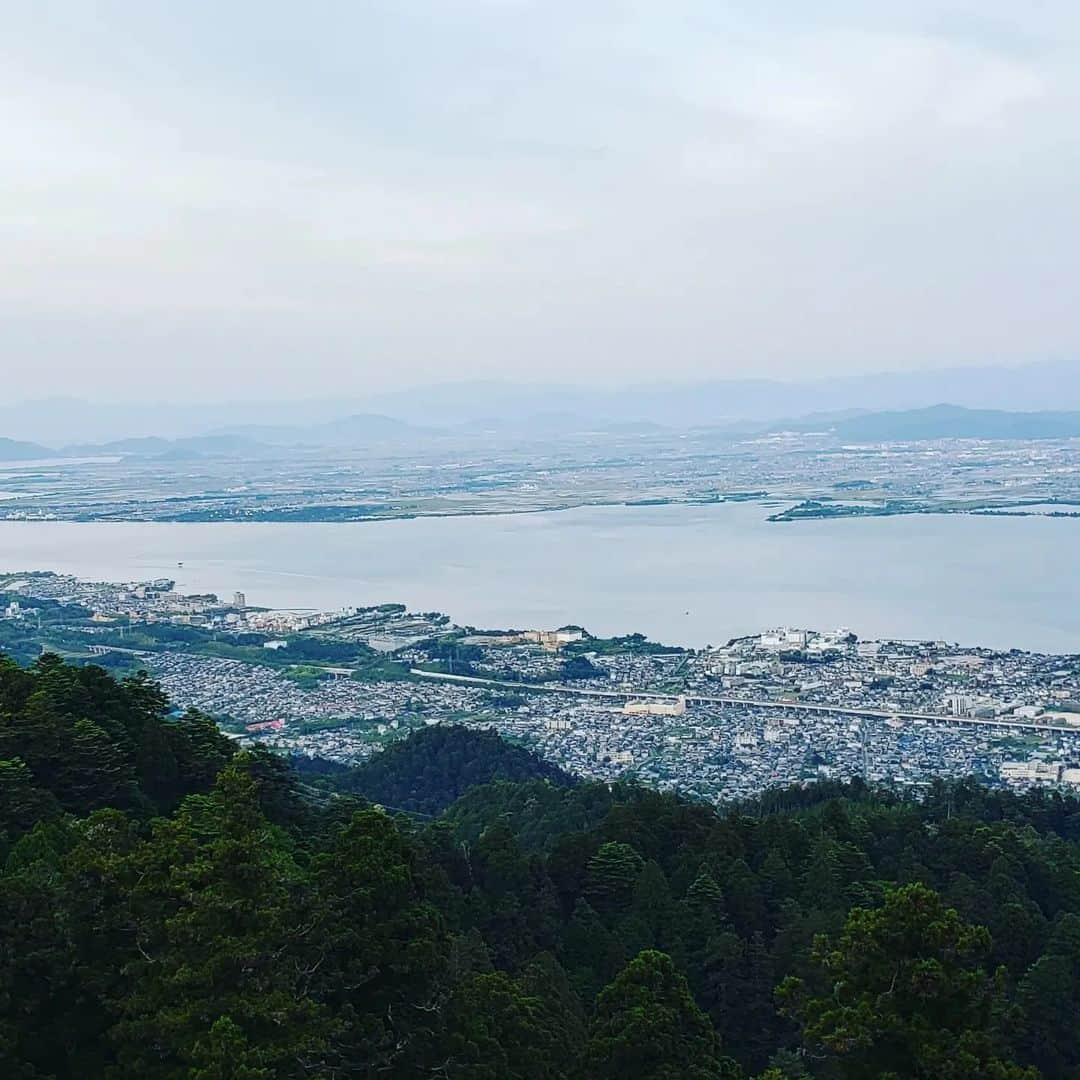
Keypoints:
(538, 409)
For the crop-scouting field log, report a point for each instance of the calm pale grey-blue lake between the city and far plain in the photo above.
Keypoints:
(683, 575)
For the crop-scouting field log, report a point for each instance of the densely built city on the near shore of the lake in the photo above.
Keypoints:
(786, 707)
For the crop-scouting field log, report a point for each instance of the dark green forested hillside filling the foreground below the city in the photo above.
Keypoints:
(172, 910)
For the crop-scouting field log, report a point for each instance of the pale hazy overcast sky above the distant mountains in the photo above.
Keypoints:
(220, 198)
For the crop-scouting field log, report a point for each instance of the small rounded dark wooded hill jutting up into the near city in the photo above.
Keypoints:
(434, 767)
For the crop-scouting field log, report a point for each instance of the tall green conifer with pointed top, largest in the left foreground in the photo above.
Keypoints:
(222, 929)
